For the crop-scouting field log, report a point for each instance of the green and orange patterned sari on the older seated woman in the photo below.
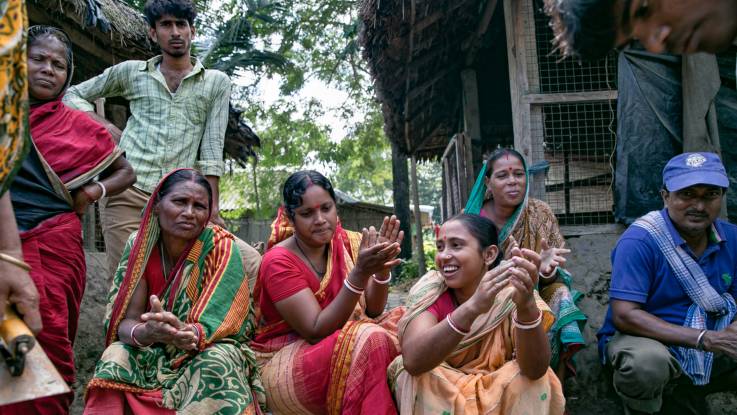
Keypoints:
(210, 290)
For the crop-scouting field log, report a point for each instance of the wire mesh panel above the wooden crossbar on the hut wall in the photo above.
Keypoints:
(550, 74)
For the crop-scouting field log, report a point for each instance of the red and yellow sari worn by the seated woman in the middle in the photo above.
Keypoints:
(343, 373)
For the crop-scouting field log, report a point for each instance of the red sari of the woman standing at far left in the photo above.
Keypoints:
(73, 149)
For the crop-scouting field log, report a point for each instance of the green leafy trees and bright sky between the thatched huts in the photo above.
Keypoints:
(295, 42)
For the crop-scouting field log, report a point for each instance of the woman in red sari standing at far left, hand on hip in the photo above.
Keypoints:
(54, 186)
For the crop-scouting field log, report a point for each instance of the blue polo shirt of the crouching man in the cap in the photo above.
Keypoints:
(641, 274)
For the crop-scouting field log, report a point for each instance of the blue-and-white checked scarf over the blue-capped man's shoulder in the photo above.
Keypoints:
(695, 363)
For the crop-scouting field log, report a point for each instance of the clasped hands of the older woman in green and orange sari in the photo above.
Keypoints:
(164, 327)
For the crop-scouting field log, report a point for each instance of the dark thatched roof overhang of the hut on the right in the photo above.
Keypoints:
(415, 50)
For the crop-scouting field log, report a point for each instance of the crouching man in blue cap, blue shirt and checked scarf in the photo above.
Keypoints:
(670, 335)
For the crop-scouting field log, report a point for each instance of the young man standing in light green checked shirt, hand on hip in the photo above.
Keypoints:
(179, 114)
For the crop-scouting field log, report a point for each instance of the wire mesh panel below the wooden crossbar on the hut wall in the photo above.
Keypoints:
(579, 142)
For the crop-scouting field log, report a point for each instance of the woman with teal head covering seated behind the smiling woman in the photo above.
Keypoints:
(501, 194)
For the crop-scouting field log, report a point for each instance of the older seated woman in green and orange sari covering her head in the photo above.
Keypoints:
(179, 314)
